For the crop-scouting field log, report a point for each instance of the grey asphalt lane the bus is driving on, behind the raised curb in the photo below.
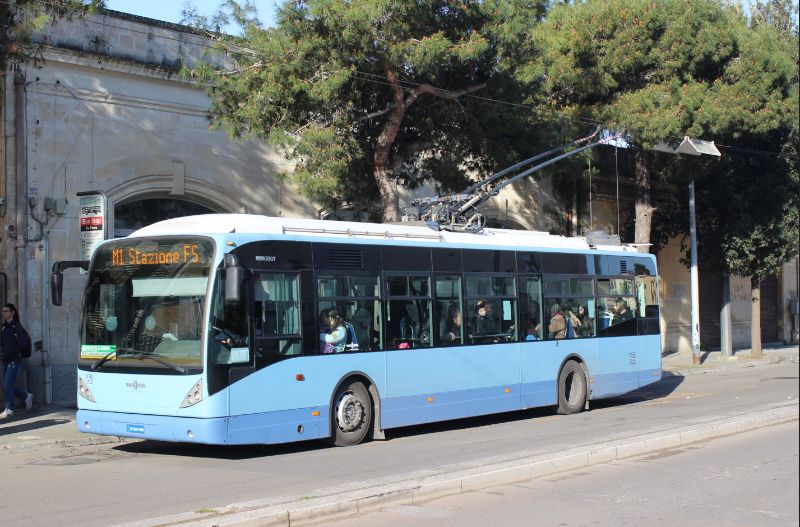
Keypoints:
(114, 484)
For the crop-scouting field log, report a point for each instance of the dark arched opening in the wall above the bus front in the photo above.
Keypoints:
(135, 214)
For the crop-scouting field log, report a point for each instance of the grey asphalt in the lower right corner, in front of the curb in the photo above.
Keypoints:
(750, 479)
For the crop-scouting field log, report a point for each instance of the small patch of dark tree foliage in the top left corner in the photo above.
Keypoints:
(21, 19)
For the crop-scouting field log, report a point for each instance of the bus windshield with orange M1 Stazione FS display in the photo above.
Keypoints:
(144, 306)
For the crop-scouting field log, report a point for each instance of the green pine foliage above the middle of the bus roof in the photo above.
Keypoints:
(319, 86)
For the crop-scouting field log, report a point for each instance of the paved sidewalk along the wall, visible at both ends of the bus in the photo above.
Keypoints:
(47, 427)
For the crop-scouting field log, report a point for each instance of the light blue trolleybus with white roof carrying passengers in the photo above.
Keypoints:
(240, 329)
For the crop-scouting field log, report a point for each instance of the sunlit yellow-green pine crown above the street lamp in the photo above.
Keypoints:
(653, 68)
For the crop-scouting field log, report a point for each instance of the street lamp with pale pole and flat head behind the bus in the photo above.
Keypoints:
(696, 147)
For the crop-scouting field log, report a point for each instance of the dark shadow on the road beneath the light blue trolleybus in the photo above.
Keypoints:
(666, 386)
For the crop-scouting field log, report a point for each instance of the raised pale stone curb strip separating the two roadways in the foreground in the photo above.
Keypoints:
(339, 503)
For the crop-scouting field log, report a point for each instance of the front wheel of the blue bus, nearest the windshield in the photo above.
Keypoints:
(352, 414)
